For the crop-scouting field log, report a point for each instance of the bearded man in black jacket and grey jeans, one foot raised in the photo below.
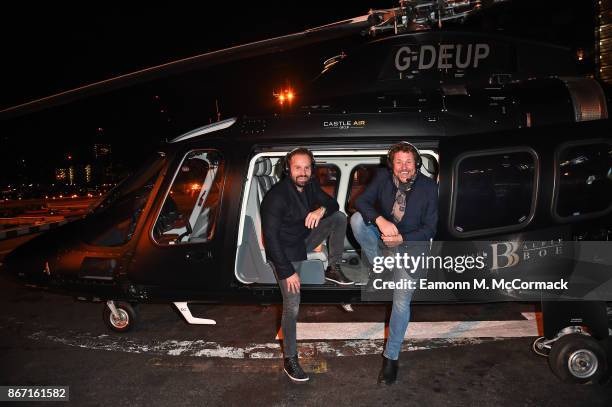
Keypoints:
(296, 217)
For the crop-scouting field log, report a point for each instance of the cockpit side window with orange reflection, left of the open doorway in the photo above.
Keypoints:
(191, 207)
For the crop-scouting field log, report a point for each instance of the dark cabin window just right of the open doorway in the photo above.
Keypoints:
(494, 190)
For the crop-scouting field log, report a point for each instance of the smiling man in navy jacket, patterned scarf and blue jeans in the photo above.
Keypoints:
(399, 206)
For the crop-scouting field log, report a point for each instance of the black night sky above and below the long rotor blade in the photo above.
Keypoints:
(47, 49)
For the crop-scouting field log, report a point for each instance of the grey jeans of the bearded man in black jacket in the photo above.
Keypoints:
(334, 227)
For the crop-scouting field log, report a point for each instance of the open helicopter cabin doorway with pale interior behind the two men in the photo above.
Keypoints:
(344, 175)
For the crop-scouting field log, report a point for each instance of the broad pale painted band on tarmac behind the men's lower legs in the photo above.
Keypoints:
(417, 330)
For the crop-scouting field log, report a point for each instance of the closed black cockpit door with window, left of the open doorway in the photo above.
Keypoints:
(181, 248)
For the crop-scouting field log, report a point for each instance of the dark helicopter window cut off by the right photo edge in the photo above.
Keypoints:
(585, 179)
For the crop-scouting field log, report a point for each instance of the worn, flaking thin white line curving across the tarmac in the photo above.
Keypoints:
(207, 349)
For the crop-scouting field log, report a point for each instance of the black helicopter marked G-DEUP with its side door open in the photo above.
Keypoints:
(517, 141)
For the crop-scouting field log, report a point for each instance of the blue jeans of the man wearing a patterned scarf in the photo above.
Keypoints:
(368, 237)
